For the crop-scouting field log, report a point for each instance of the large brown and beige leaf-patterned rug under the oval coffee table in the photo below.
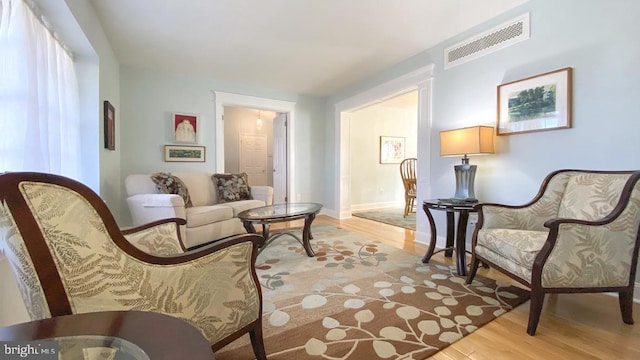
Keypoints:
(361, 299)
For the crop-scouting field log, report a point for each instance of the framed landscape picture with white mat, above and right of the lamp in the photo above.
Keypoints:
(537, 103)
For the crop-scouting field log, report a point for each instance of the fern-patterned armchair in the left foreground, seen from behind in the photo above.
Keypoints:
(69, 257)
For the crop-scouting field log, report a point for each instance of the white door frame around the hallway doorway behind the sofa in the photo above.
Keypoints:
(223, 99)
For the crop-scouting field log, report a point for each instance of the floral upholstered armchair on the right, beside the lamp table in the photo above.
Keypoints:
(579, 234)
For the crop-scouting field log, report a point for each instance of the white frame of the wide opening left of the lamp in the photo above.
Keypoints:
(420, 80)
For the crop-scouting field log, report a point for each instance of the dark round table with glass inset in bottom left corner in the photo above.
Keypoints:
(133, 334)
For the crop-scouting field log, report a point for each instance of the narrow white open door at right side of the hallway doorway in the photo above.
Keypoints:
(280, 186)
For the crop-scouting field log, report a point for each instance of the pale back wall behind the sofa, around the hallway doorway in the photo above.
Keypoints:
(148, 98)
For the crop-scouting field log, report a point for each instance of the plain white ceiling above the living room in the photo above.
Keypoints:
(302, 46)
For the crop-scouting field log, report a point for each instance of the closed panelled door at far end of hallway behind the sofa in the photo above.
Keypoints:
(253, 157)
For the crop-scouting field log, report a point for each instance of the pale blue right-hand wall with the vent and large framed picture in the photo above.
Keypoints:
(592, 37)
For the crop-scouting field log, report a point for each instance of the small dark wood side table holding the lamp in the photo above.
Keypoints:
(458, 236)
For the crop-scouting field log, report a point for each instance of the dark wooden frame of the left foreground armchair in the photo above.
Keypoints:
(45, 266)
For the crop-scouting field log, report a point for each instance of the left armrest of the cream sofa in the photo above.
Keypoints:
(147, 208)
